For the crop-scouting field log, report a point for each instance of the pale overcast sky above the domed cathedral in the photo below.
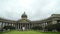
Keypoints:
(35, 9)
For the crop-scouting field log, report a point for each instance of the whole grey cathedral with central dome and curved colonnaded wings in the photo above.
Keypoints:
(28, 24)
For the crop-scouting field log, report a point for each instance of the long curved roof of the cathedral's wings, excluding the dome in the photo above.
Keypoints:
(37, 21)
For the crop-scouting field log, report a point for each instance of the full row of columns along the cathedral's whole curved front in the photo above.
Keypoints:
(27, 25)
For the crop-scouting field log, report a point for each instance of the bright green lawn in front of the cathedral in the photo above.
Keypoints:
(28, 32)
